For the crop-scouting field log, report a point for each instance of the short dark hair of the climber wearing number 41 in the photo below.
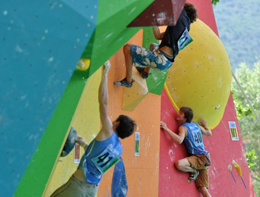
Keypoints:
(126, 126)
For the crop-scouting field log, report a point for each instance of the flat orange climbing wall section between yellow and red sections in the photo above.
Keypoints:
(139, 169)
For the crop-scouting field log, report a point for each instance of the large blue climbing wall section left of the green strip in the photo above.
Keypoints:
(41, 42)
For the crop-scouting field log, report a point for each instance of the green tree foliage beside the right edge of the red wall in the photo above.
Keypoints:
(249, 118)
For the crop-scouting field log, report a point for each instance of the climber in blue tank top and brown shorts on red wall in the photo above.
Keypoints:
(198, 160)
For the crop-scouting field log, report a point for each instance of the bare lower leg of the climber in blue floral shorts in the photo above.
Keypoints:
(128, 62)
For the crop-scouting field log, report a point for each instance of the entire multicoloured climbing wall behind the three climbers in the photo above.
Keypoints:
(43, 95)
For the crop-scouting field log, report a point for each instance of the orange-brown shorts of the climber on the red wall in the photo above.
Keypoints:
(197, 162)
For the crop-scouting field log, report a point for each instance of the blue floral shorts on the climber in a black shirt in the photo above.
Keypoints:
(153, 59)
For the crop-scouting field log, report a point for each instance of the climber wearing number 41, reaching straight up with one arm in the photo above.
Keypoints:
(102, 153)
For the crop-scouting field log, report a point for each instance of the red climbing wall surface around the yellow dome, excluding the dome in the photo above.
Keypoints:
(222, 148)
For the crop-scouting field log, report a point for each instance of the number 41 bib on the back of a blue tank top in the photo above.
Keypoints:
(106, 159)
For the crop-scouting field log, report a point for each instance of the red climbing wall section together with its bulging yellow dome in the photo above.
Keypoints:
(222, 146)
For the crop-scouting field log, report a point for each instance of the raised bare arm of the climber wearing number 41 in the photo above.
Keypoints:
(106, 129)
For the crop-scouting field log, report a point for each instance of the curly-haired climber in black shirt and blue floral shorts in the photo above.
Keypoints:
(161, 56)
